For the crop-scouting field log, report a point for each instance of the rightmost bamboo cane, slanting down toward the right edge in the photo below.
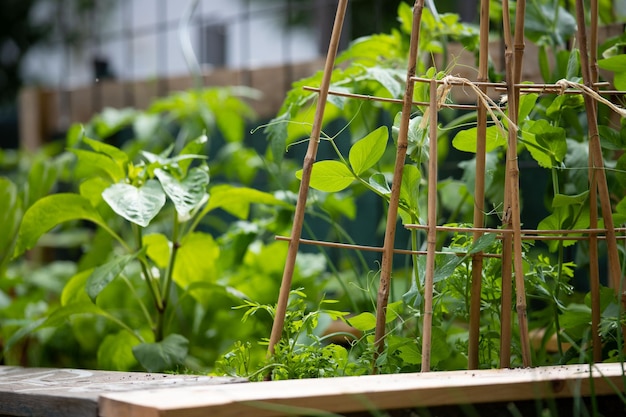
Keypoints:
(597, 164)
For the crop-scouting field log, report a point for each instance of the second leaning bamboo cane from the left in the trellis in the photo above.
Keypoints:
(394, 198)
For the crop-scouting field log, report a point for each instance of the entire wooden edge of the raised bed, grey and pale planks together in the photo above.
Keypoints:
(70, 392)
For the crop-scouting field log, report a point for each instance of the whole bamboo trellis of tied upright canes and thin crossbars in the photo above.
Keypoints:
(511, 232)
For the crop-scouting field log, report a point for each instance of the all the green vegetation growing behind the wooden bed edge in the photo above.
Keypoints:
(172, 269)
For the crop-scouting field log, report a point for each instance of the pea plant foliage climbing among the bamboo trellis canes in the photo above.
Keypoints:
(552, 138)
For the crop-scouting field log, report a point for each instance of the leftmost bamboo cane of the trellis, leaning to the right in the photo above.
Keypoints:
(309, 159)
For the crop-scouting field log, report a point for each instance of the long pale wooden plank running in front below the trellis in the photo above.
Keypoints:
(382, 392)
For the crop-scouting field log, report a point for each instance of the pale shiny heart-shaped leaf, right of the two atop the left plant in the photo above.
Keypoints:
(187, 194)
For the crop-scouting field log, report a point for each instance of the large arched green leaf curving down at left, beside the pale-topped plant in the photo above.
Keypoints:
(51, 211)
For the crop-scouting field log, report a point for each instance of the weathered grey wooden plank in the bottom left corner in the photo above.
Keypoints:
(75, 392)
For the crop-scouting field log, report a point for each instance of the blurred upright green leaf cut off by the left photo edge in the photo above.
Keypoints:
(10, 217)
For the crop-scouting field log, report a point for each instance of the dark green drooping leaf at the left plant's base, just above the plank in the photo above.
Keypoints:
(161, 356)
